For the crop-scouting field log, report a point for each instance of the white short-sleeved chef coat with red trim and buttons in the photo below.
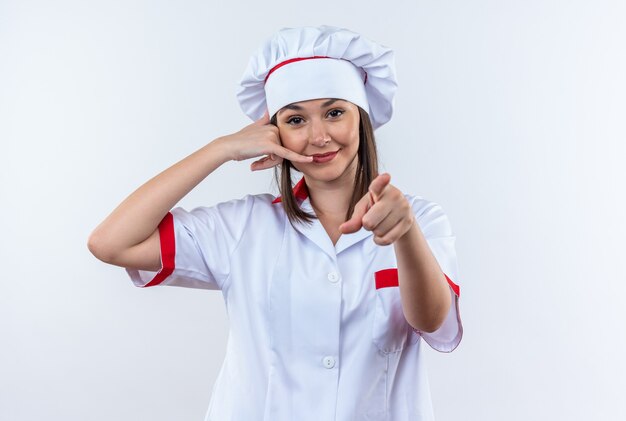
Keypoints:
(316, 330)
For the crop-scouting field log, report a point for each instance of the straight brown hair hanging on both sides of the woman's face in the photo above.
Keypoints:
(366, 171)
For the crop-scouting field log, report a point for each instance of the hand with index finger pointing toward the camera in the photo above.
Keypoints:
(384, 211)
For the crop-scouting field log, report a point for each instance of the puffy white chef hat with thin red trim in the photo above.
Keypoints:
(299, 64)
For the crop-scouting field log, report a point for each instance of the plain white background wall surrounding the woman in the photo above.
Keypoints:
(510, 114)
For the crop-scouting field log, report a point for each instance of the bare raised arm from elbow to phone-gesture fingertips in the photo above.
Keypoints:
(129, 236)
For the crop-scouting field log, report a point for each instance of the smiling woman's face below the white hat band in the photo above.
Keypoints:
(328, 130)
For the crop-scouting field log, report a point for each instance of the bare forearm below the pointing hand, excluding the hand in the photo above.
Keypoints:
(423, 288)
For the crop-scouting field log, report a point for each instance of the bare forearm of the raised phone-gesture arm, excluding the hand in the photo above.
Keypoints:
(138, 216)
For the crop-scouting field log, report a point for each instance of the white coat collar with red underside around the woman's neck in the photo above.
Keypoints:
(315, 231)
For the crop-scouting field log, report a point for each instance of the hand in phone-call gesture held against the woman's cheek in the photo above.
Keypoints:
(258, 139)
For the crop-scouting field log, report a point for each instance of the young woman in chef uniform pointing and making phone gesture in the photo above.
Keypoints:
(329, 287)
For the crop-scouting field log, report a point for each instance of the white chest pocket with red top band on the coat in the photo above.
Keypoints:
(391, 331)
